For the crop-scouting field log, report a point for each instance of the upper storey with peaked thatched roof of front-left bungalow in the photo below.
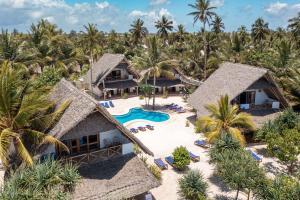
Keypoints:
(84, 118)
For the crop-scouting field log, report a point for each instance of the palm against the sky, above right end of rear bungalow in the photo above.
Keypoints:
(138, 31)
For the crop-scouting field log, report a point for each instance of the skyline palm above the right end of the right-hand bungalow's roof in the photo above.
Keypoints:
(259, 31)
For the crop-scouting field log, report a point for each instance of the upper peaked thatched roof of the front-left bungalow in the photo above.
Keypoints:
(82, 106)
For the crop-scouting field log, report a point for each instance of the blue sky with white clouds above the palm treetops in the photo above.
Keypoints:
(119, 14)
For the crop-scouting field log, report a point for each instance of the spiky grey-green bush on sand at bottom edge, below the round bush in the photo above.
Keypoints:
(192, 186)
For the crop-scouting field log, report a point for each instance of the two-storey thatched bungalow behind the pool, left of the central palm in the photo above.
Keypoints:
(111, 76)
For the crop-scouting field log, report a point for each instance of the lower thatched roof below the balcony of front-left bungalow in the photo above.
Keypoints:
(119, 178)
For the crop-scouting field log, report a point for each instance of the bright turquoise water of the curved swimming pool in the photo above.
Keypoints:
(139, 113)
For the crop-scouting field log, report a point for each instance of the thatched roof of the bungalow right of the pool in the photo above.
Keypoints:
(232, 79)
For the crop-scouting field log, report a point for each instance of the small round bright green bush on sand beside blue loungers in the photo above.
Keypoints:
(181, 158)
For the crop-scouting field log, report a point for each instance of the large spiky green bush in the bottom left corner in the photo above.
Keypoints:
(49, 180)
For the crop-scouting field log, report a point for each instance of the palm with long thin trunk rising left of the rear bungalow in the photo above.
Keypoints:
(91, 39)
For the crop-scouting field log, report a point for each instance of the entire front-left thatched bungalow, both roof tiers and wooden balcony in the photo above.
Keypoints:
(102, 147)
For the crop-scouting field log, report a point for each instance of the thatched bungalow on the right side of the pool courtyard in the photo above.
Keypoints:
(252, 88)
